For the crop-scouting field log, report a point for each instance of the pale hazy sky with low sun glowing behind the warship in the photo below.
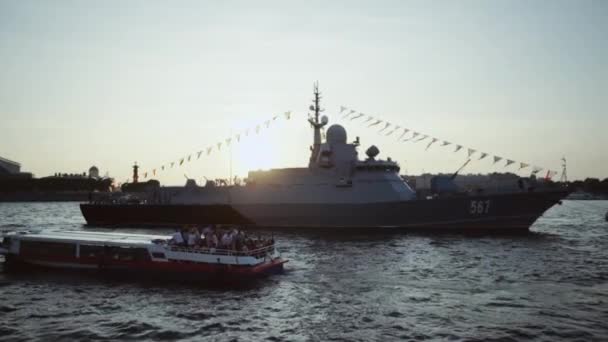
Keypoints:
(110, 83)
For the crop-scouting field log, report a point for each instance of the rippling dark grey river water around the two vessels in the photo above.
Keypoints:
(551, 284)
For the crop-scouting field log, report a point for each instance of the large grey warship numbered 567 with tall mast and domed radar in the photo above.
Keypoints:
(336, 190)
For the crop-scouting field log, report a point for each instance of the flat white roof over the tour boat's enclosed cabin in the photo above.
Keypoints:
(91, 237)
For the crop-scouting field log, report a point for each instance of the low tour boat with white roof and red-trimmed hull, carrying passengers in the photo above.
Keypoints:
(135, 253)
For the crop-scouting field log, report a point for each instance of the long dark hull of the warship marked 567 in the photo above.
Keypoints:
(492, 213)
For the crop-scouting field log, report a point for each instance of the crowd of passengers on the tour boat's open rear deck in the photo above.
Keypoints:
(213, 237)
